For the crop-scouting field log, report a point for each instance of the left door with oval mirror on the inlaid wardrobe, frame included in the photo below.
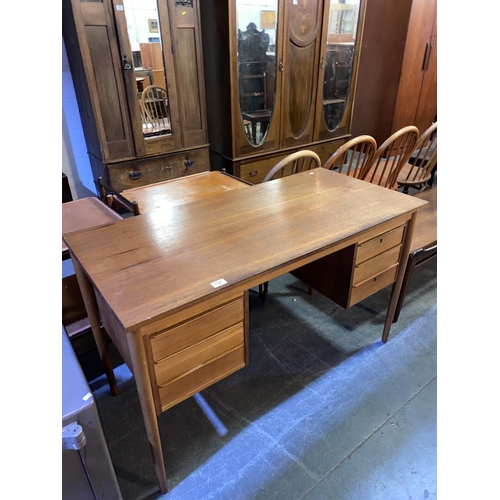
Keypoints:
(254, 72)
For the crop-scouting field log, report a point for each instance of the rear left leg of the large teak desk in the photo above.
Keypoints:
(87, 291)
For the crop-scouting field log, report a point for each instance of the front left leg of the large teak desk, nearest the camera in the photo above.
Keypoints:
(141, 375)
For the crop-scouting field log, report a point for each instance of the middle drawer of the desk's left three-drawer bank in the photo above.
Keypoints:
(199, 354)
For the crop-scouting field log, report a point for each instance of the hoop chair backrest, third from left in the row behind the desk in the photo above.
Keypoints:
(390, 158)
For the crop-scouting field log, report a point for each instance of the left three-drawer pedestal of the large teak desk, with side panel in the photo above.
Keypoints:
(189, 350)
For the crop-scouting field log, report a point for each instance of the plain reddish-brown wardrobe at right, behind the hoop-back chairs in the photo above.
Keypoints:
(397, 79)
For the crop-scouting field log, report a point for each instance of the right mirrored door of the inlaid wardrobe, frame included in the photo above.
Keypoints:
(340, 45)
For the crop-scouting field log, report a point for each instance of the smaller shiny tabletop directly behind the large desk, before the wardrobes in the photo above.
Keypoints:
(174, 192)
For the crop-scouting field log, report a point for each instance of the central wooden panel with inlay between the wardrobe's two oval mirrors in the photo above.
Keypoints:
(299, 65)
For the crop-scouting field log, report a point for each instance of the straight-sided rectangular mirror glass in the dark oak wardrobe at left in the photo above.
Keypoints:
(146, 61)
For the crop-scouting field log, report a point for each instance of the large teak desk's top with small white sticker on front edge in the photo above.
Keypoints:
(148, 266)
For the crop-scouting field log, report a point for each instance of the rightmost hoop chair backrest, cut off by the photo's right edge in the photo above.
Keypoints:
(422, 159)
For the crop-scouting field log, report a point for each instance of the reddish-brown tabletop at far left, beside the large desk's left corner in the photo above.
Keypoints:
(83, 214)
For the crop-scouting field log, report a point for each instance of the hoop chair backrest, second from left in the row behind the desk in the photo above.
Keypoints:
(353, 156)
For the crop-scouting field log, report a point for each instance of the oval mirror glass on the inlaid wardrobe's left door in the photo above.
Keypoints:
(257, 30)
